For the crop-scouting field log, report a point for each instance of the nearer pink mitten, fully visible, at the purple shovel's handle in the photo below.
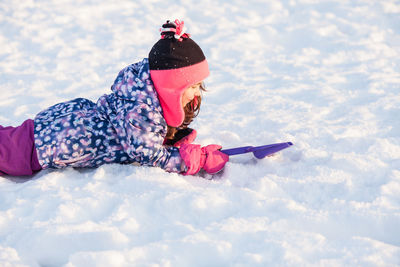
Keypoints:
(209, 158)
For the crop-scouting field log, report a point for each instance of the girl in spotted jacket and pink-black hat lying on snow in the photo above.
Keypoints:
(144, 120)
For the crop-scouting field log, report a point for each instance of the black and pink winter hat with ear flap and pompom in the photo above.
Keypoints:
(176, 63)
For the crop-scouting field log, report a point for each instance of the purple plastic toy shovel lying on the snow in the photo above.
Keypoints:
(258, 151)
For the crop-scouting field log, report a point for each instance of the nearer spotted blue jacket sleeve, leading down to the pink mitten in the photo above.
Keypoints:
(141, 136)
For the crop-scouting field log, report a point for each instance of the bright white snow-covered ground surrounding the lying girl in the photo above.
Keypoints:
(322, 74)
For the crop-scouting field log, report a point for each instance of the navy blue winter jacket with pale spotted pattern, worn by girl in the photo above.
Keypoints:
(126, 126)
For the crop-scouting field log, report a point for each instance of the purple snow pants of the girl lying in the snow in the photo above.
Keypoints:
(17, 150)
